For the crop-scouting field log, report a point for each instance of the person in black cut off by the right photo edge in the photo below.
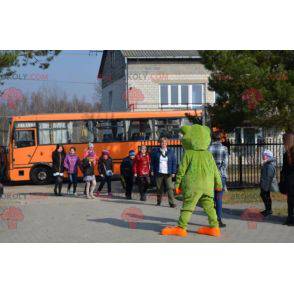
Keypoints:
(287, 176)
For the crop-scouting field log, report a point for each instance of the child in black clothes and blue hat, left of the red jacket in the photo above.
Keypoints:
(126, 171)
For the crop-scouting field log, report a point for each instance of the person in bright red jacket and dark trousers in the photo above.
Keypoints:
(141, 170)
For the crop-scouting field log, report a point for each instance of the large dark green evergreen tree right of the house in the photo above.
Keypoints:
(254, 88)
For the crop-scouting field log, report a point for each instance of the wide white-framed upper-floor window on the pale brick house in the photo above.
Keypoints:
(181, 95)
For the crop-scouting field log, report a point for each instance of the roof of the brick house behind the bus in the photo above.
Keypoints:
(152, 54)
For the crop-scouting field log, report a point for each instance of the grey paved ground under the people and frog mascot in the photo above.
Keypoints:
(30, 214)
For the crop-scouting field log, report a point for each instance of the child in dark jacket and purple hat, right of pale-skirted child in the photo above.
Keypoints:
(105, 169)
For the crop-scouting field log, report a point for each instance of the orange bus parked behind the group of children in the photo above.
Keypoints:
(30, 140)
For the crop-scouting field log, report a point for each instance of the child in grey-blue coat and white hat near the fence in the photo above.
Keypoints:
(268, 181)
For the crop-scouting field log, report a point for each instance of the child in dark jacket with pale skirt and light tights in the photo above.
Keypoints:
(88, 164)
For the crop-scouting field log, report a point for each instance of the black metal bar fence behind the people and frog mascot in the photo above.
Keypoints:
(245, 160)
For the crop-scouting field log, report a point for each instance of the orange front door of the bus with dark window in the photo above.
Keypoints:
(24, 146)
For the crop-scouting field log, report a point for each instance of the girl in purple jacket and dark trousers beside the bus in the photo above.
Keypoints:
(71, 164)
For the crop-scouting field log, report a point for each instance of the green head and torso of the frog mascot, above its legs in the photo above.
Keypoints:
(197, 173)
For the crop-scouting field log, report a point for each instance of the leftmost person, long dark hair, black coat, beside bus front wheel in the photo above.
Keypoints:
(58, 156)
